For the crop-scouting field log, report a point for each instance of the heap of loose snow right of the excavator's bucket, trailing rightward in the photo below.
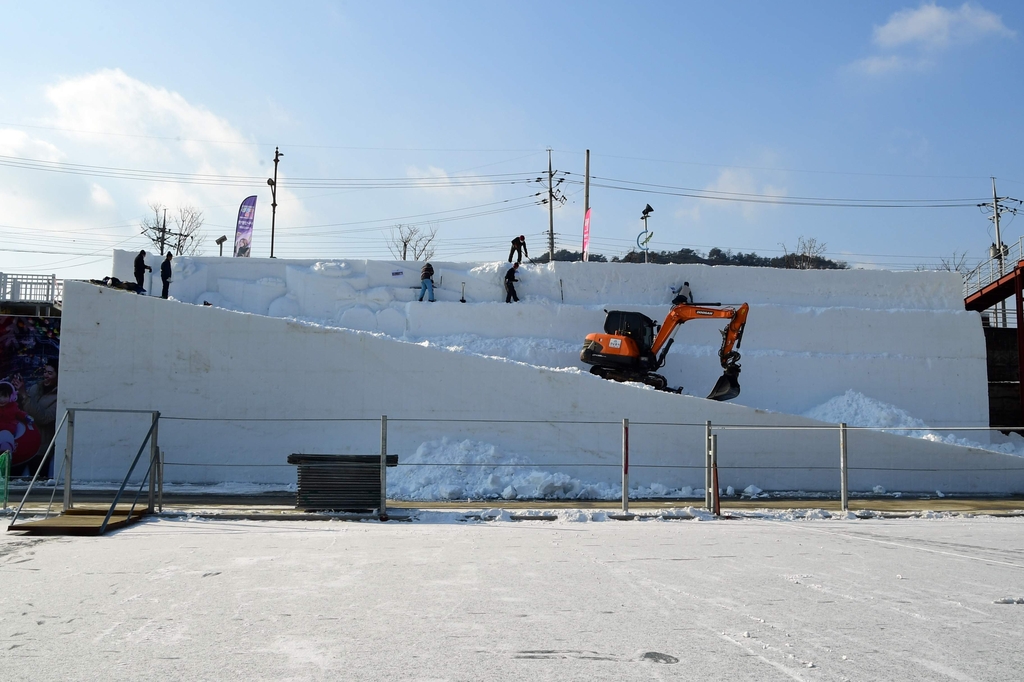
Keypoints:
(858, 410)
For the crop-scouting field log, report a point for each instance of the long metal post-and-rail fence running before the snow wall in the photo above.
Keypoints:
(817, 451)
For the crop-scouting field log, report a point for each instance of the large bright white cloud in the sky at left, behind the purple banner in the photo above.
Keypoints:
(108, 118)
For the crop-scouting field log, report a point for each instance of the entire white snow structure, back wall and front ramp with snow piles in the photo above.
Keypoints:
(305, 357)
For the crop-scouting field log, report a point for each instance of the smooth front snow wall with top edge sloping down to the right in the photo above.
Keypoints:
(238, 393)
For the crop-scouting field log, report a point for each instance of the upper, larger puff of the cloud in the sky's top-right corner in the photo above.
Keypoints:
(935, 28)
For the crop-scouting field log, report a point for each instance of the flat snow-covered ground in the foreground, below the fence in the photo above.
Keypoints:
(826, 600)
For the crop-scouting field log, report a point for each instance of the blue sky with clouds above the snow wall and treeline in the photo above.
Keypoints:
(453, 107)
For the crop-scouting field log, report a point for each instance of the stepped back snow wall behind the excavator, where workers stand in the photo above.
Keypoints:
(901, 338)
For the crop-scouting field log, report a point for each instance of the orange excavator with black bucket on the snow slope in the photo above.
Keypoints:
(629, 350)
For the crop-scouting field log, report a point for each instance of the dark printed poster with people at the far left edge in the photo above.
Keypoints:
(30, 350)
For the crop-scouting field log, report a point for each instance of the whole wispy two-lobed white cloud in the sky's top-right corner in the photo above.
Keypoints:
(912, 38)
